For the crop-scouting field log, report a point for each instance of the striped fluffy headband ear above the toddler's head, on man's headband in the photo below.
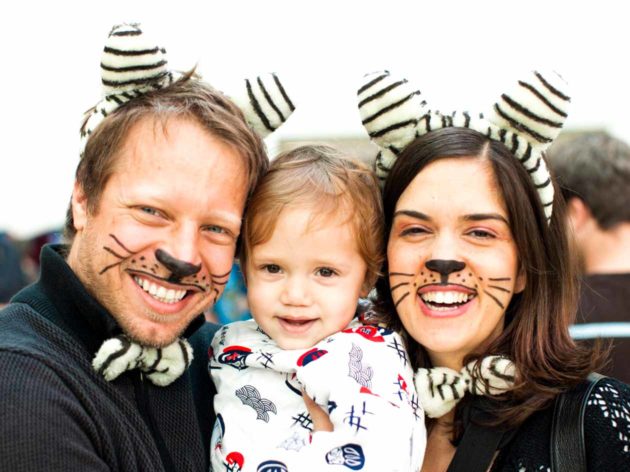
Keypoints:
(265, 103)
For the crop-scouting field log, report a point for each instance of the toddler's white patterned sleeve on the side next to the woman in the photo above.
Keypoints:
(362, 377)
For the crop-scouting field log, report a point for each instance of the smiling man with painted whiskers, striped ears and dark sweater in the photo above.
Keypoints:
(153, 225)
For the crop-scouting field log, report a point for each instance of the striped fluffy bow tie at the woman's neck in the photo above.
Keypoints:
(440, 388)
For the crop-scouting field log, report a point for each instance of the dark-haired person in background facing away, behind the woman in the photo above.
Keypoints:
(594, 172)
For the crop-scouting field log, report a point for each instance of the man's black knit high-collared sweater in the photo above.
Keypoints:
(57, 413)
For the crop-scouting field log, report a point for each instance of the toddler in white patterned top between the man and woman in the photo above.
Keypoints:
(312, 245)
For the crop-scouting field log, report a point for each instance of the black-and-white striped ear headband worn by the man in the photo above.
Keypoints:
(133, 65)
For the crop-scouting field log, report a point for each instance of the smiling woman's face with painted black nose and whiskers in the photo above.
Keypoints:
(453, 264)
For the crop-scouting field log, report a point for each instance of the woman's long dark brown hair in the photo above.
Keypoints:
(535, 335)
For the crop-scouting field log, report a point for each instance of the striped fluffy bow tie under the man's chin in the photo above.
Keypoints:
(162, 366)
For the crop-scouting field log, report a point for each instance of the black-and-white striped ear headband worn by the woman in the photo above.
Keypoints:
(527, 120)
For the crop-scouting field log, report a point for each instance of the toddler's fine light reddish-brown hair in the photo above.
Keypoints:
(322, 178)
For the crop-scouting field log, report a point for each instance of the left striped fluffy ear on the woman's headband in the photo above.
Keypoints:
(390, 110)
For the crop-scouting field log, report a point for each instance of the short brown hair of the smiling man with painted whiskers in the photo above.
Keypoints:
(188, 97)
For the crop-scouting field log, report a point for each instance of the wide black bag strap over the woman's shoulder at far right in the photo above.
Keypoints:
(568, 450)
